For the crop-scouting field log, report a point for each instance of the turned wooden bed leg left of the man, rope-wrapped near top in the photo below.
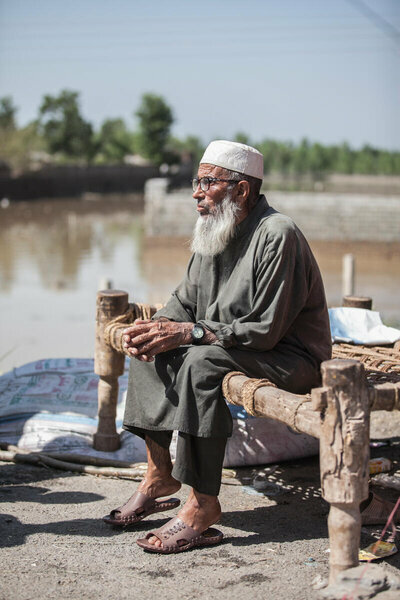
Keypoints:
(109, 364)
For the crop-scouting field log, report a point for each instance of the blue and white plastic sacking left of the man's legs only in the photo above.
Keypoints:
(51, 405)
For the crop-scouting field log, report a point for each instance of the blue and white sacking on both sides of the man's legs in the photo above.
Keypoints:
(51, 405)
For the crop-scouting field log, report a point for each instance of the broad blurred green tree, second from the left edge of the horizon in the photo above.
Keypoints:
(64, 128)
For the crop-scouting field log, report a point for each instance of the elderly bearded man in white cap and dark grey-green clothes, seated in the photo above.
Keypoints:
(252, 300)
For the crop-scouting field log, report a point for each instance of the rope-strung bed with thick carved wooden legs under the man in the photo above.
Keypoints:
(338, 413)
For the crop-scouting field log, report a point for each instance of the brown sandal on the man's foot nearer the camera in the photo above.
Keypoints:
(176, 536)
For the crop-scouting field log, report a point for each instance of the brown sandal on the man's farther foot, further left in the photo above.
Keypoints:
(137, 508)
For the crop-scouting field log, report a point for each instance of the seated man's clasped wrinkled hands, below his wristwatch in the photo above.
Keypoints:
(147, 338)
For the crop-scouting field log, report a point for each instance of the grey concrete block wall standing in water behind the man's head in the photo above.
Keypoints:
(321, 216)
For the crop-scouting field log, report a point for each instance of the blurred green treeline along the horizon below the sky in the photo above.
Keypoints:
(63, 135)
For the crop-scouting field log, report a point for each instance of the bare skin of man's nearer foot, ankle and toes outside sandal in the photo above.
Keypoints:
(199, 513)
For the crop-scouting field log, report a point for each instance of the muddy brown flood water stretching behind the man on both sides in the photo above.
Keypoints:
(53, 255)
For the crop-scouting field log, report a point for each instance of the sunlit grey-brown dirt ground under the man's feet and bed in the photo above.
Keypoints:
(55, 545)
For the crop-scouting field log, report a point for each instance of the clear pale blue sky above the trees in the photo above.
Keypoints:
(328, 70)
